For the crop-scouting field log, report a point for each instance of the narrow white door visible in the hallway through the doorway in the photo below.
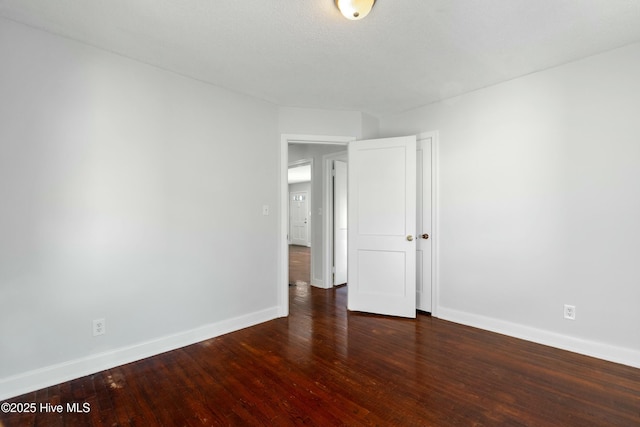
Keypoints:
(340, 222)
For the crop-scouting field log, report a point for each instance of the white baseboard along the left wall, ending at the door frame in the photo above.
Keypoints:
(55, 374)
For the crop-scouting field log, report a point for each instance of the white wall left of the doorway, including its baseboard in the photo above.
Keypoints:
(116, 203)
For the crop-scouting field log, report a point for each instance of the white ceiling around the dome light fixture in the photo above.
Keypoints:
(303, 53)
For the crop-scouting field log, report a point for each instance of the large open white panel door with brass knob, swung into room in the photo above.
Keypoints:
(382, 223)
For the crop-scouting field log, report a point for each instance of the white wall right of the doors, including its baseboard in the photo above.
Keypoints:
(539, 184)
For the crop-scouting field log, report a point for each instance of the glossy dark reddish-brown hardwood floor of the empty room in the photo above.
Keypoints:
(323, 366)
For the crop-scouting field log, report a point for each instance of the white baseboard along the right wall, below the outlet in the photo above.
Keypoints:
(596, 349)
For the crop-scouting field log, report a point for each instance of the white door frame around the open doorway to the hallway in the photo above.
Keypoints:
(283, 246)
